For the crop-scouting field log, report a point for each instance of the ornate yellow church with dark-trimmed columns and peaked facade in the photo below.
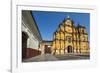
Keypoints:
(69, 38)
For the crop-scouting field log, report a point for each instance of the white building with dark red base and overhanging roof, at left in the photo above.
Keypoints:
(31, 37)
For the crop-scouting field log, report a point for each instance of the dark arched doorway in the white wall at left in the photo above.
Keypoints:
(24, 44)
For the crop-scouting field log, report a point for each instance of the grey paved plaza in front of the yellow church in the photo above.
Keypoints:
(50, 57)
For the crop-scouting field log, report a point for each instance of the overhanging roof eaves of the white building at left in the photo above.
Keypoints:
(31, 23)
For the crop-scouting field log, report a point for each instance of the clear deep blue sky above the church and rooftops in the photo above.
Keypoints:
(48, 22)
